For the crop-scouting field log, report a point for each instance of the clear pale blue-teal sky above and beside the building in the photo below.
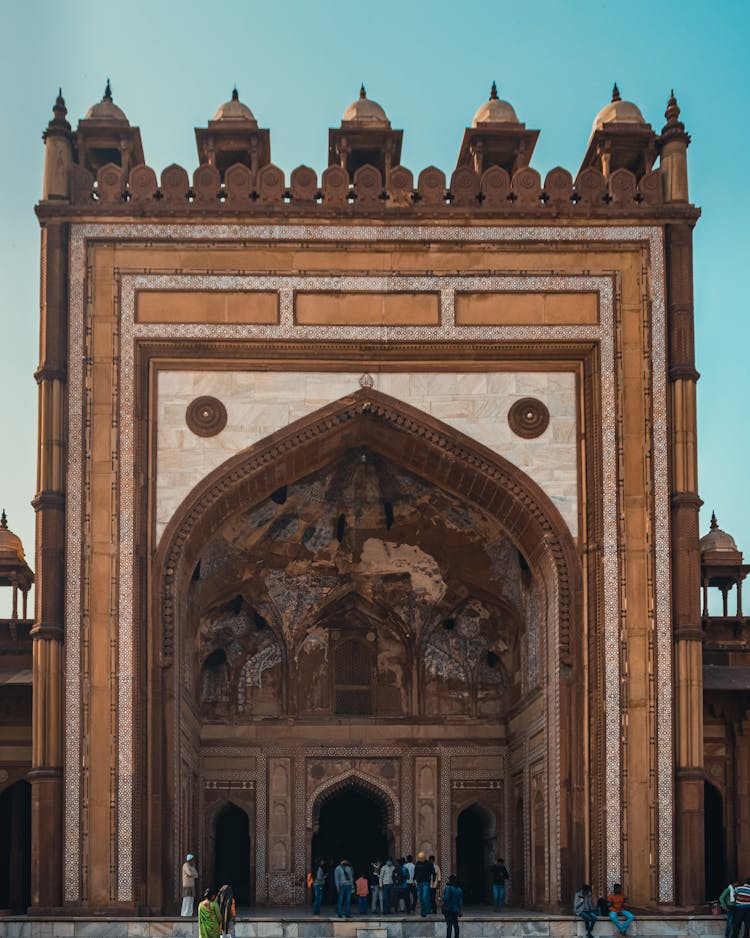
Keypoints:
(430, 64)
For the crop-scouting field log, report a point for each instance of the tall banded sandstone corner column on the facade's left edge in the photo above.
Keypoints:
(47, 633)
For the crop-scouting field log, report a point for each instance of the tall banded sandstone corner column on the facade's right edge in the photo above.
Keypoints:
(688, 651)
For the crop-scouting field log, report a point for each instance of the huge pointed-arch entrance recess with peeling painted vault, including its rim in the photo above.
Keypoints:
(367, 569)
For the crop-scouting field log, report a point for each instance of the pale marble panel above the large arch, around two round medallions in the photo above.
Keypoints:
(258, 403)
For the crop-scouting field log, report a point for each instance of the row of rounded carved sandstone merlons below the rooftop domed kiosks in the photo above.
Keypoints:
(495, 189)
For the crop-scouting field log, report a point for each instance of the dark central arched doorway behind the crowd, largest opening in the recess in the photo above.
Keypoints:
(353, 825)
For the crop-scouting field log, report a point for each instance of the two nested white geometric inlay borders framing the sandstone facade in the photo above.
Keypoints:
(81, 233)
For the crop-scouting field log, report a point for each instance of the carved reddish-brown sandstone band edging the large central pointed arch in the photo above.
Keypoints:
(441, 456)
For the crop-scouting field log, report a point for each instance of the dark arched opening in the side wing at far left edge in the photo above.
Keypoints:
(15, 847)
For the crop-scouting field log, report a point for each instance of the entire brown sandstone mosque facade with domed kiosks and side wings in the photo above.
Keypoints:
(367, 505)
